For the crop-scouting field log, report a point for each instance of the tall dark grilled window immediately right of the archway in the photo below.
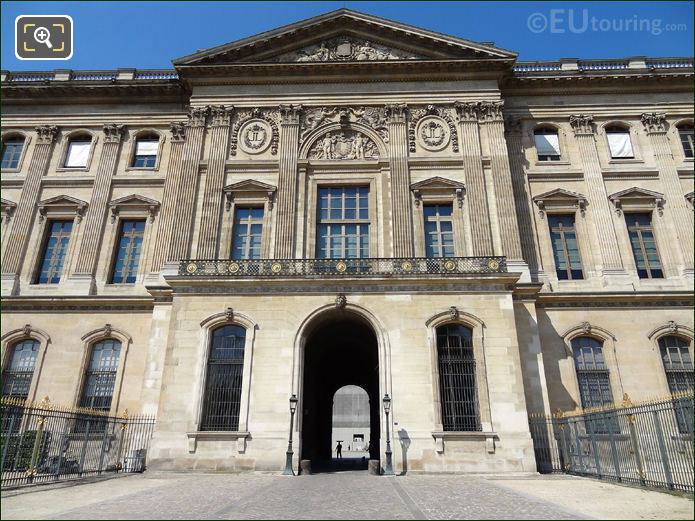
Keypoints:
(457, 382)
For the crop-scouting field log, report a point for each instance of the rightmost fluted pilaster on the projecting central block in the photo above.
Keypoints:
(491, 116)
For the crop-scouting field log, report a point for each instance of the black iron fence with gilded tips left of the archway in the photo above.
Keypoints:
(42, 442)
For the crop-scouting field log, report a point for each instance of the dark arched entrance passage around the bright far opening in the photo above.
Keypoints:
(340, 349)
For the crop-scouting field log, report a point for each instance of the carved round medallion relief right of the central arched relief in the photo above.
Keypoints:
(433, 129)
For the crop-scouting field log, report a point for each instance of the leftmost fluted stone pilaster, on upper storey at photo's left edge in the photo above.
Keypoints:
(18, 235)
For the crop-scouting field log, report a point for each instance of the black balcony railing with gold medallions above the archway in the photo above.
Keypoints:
(280, 268)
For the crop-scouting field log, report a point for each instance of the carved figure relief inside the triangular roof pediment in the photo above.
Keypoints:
(345, 49)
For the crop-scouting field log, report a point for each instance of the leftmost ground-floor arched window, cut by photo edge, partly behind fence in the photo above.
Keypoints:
(16, 380)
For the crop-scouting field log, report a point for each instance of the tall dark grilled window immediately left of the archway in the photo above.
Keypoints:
(223, 381)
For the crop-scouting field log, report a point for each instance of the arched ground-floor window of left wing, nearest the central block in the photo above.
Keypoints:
(100, 375)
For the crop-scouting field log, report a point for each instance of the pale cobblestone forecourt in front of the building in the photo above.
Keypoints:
(344, 495)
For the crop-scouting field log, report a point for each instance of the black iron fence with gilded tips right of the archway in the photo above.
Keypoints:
(650, 444)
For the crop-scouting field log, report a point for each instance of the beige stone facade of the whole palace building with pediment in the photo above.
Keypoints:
(419, 119)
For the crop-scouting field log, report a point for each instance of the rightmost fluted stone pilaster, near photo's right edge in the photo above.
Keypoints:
(676, 205)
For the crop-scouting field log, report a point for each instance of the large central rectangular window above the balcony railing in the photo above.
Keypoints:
(343, 223)
